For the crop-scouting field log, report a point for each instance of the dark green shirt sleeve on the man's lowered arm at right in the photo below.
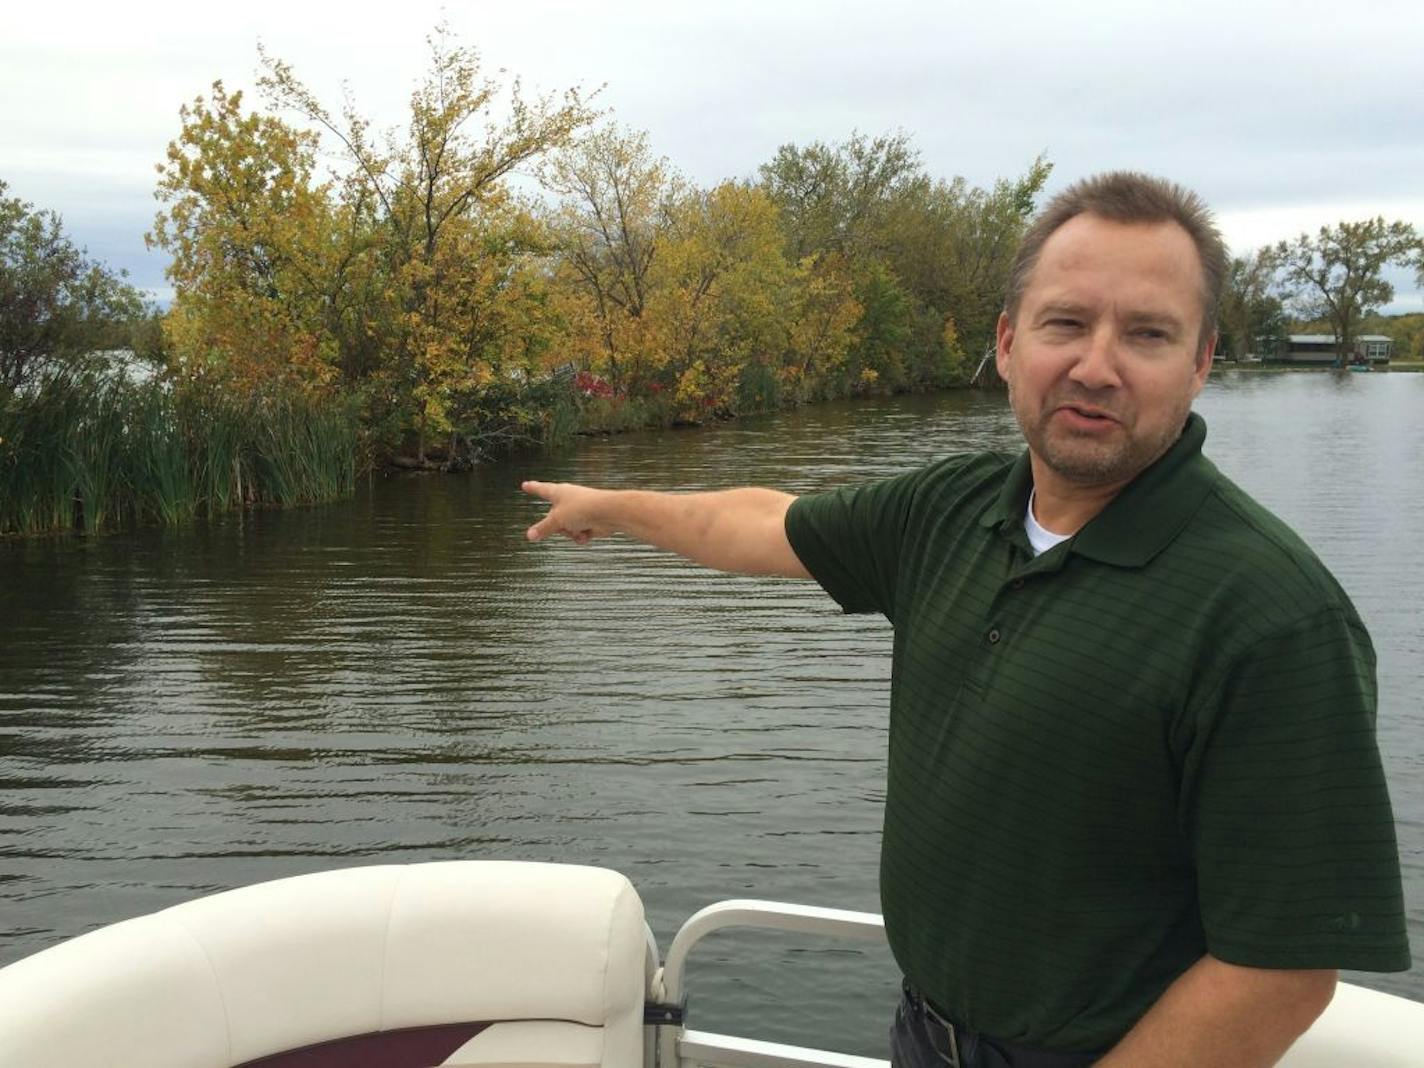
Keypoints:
(1288, 808)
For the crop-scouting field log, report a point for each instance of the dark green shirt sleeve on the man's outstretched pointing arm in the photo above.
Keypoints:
(851, 540)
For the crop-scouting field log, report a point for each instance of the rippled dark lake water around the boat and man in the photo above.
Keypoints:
(405, 679)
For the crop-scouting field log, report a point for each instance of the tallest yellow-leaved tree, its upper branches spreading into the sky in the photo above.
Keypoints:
(456, 251)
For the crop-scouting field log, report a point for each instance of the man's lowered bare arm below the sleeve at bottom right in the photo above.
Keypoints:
(1225, 1016)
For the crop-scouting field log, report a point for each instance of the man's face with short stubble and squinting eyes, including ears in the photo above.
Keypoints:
(1104, 357)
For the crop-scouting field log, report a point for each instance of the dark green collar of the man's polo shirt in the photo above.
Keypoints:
(1143, 519)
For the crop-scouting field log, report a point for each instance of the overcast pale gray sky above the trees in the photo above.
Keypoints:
(1284, 116)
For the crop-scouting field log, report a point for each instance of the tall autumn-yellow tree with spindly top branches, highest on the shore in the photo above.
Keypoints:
(402, 223)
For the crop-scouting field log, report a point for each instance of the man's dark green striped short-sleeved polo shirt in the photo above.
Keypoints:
(1153, 741)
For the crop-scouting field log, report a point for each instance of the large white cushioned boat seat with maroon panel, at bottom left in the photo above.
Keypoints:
(461, 963)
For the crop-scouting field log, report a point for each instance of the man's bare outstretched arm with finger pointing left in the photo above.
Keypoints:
(733, 530)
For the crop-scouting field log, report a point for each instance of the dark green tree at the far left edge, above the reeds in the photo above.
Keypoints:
(56, 305)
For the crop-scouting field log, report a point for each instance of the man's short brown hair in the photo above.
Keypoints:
(1129, 197)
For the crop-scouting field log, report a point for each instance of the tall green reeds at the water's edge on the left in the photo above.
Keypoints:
(90, 451)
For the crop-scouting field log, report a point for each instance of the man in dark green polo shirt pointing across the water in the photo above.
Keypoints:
(1136, 812)
